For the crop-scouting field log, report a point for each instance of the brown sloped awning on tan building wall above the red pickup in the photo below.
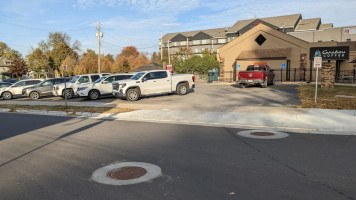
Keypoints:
(281, 53)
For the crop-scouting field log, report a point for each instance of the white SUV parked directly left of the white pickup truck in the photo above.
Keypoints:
(101, 87)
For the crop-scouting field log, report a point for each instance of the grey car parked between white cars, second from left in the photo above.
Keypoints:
(43, 88)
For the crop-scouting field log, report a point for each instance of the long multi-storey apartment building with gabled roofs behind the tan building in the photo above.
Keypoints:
(212, 39)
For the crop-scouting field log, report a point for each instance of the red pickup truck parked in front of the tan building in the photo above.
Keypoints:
(256, 74)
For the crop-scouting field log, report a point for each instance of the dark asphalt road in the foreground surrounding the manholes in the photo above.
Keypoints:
(44, 157)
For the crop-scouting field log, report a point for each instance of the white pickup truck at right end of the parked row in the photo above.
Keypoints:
(153, 82)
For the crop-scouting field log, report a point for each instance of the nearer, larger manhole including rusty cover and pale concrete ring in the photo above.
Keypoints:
(126, 173)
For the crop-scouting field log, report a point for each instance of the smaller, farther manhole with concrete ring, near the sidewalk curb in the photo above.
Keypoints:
(263, 134)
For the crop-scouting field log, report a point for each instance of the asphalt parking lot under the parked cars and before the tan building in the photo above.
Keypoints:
(209, 97)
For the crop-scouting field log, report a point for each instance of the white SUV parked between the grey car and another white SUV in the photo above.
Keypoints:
(72, 85)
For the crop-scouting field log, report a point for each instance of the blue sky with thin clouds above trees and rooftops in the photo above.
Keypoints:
(24, 23)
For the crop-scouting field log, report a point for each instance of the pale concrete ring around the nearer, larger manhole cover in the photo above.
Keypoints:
(100, 175)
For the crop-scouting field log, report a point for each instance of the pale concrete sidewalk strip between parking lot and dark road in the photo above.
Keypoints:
(324, 121)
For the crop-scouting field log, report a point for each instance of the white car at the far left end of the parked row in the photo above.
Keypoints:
(16, 88)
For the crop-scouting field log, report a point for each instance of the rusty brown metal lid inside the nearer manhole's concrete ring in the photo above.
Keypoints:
(126, 173)
